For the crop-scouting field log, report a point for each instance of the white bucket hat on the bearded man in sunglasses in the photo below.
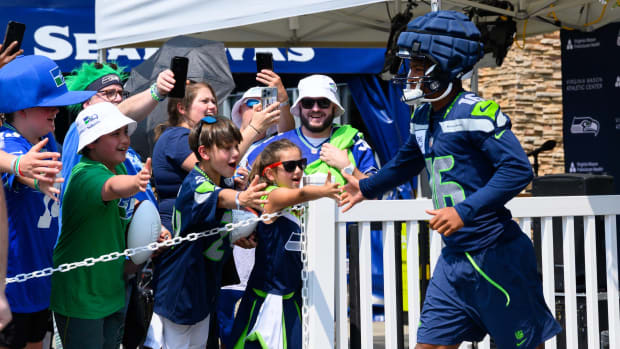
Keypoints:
(318, 86)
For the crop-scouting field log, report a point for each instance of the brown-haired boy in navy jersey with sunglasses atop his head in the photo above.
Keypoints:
(188, 276)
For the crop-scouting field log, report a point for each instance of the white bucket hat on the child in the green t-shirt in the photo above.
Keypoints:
(98, 120)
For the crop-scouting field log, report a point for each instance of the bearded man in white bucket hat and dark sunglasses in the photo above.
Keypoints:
(326, 146)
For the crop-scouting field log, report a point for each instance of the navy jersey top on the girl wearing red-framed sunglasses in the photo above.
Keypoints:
(277, 263)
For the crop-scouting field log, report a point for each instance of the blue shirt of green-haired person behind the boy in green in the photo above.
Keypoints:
(70, 158)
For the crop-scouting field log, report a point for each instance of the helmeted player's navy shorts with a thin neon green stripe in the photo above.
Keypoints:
(495, 290)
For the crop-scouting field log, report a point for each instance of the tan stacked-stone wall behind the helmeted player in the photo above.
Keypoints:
(528, 88)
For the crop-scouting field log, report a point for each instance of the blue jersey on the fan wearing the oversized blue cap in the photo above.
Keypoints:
(33, 229)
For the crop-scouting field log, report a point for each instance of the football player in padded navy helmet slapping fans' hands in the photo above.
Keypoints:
(485, 280)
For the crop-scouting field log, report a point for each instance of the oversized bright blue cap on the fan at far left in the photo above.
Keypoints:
(35, 81)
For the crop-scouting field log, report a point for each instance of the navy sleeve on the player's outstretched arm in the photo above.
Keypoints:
(407, 163)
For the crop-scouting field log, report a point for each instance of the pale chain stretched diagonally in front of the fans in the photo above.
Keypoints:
(90, 261)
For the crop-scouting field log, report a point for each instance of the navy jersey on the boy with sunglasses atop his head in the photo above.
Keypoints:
(188, 276)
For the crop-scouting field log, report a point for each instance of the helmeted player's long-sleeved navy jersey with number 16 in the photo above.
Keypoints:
(475, 164)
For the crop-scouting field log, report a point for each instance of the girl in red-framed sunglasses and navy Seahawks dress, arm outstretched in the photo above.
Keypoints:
(269, 310)
